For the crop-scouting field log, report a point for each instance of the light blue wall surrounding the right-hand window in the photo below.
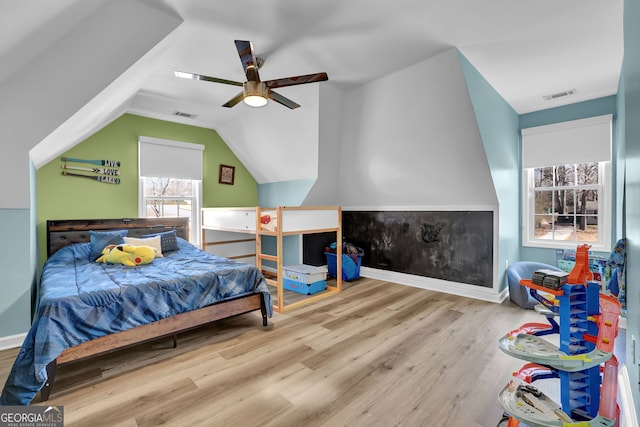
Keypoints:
(581, 110)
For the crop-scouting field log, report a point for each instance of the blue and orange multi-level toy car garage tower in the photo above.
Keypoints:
(587, 325)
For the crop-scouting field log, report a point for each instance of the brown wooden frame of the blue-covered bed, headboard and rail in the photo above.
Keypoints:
(65, 232)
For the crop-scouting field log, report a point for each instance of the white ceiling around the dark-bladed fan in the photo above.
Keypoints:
(525, 49)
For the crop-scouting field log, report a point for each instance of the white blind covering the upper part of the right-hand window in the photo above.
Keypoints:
(577, 141)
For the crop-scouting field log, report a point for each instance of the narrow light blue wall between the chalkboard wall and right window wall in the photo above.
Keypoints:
(498, 125)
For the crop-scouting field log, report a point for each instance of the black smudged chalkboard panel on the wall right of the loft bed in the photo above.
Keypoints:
(455, 246)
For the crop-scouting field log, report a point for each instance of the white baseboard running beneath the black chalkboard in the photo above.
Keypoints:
(461, 289)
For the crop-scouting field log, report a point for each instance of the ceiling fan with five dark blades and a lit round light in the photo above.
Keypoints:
(256, 92)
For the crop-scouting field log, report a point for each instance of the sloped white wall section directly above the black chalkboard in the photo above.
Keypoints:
(411, 139)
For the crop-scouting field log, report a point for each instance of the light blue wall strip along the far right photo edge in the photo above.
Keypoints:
(629, 106)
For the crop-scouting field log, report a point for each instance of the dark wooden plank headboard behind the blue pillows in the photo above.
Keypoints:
(63, 232)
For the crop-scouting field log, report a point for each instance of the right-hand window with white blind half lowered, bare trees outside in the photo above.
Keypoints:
(566, 184)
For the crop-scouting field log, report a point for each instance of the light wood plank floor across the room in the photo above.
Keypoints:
(379, 354)
